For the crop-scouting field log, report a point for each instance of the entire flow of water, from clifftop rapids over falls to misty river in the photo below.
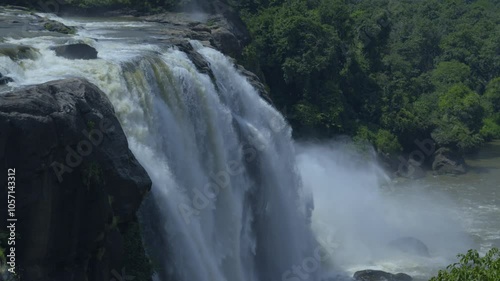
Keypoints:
(233, 196)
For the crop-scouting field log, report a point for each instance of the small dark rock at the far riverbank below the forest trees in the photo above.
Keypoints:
(447, 161)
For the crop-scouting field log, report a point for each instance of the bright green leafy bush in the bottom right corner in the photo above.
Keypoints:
(472, 267)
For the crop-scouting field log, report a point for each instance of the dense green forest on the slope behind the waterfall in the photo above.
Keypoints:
(387, 71)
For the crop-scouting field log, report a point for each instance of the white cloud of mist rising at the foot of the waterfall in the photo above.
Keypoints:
(357, 204)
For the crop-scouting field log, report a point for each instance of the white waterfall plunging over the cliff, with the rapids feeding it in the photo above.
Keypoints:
(227, 202)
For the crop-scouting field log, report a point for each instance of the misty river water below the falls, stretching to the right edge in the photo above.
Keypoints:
(365, 210)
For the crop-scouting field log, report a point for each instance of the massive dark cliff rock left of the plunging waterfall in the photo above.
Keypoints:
(78, 185)
